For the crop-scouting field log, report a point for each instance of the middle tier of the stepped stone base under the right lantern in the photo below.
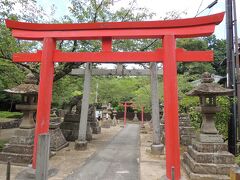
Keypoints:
(215, 158)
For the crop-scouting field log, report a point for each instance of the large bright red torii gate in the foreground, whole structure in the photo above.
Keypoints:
(167, 30)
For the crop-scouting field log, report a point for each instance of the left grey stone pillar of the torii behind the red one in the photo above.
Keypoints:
(81, 142)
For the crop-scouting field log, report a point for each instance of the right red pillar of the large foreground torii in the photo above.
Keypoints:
(171, 108)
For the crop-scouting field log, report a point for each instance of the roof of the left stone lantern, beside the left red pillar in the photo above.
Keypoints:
(28, 87)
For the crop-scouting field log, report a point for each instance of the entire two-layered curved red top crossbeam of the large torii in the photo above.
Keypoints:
(182, 28)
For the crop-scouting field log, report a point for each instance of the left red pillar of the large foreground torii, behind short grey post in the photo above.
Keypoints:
(45, 92)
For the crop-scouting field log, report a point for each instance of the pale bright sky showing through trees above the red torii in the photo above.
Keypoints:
(160, 7)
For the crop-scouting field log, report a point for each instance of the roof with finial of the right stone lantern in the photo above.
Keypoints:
(209, 88)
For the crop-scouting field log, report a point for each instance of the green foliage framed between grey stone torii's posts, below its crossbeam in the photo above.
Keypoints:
(120, 89)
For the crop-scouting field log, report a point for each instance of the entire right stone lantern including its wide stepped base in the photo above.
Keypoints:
(207, 157)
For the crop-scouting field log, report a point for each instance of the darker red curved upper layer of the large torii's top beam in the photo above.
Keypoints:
(198, 21)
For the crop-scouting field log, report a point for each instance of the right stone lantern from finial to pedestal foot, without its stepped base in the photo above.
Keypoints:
(207, 92)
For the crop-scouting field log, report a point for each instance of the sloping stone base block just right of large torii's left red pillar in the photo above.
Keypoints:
(57, 141)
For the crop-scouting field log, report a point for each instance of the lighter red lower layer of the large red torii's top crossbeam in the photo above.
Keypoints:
(181, 32)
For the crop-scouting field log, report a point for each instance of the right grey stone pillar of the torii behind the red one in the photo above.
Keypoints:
(156, 147)
